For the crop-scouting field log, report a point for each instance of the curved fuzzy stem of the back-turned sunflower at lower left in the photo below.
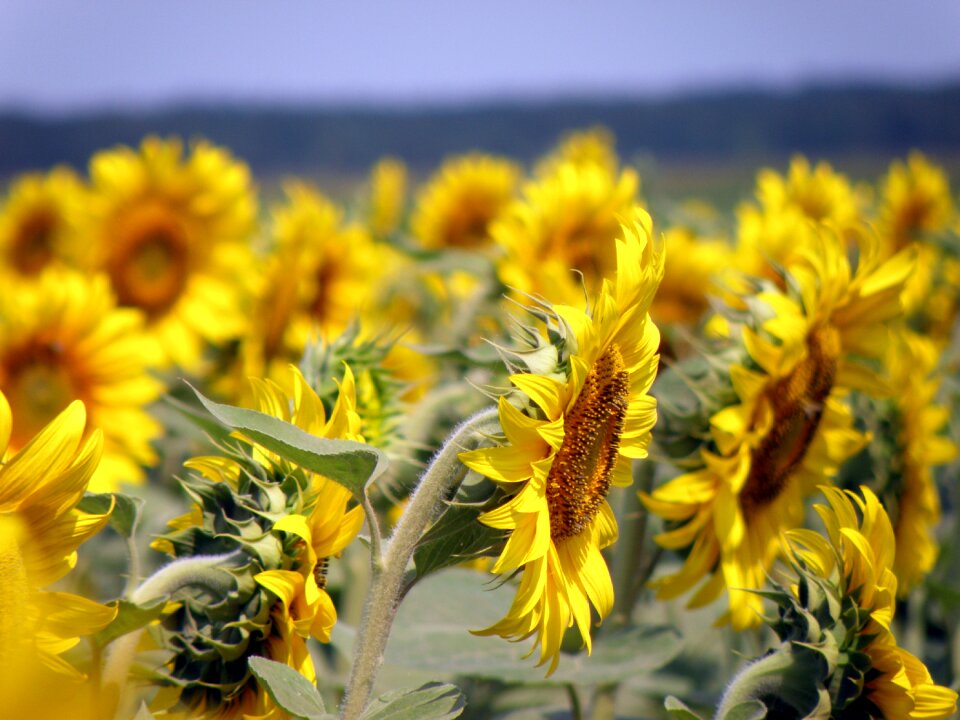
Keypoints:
(203, 571)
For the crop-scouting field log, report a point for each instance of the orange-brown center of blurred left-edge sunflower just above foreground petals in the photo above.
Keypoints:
(37, 384)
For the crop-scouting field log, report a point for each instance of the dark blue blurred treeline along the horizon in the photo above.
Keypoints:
(820, 121)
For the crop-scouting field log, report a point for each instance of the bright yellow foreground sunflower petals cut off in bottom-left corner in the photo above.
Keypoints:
(40, 531)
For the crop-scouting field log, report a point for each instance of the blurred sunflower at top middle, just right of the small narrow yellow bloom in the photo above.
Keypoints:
(456, 206)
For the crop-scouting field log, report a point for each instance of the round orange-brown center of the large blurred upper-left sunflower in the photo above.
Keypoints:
(149, 265)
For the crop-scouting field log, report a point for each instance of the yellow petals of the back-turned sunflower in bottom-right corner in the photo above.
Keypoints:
(852, 567)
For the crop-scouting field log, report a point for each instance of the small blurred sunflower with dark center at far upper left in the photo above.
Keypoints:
(36, 221)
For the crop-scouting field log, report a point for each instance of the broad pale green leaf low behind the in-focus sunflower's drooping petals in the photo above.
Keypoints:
(432, 633)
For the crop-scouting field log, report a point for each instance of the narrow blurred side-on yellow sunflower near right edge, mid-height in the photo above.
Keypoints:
(912, 366)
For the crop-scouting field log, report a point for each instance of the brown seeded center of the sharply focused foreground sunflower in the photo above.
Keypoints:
(579, 478)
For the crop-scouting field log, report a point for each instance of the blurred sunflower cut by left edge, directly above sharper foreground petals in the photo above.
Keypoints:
(62, 339)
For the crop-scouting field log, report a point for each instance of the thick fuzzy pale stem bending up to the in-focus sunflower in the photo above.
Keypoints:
(383, 598)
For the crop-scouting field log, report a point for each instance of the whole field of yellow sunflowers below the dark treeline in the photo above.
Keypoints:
(500, 443)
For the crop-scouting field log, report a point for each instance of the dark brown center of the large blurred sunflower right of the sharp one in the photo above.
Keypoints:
(797, 403)
